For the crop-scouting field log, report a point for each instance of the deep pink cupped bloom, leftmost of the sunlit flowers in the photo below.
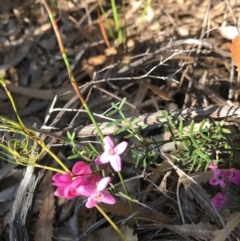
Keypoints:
(67, 185)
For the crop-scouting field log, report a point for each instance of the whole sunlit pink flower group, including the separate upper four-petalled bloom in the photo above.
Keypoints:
(83, 182)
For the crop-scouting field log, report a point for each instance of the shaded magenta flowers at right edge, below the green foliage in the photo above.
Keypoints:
(222, 178)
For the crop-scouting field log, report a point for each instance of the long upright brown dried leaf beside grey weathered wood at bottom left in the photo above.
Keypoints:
(46, 215)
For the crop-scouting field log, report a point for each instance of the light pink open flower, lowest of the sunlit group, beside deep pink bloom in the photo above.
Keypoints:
(97, 193)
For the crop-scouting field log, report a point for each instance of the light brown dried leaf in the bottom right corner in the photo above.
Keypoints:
(232, 222)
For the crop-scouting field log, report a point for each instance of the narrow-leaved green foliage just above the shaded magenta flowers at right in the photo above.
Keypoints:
(198, 144)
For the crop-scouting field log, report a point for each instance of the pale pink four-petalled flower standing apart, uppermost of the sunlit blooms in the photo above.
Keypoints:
(112, 153)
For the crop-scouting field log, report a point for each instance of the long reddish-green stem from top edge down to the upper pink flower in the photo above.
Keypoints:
(69, 69)
